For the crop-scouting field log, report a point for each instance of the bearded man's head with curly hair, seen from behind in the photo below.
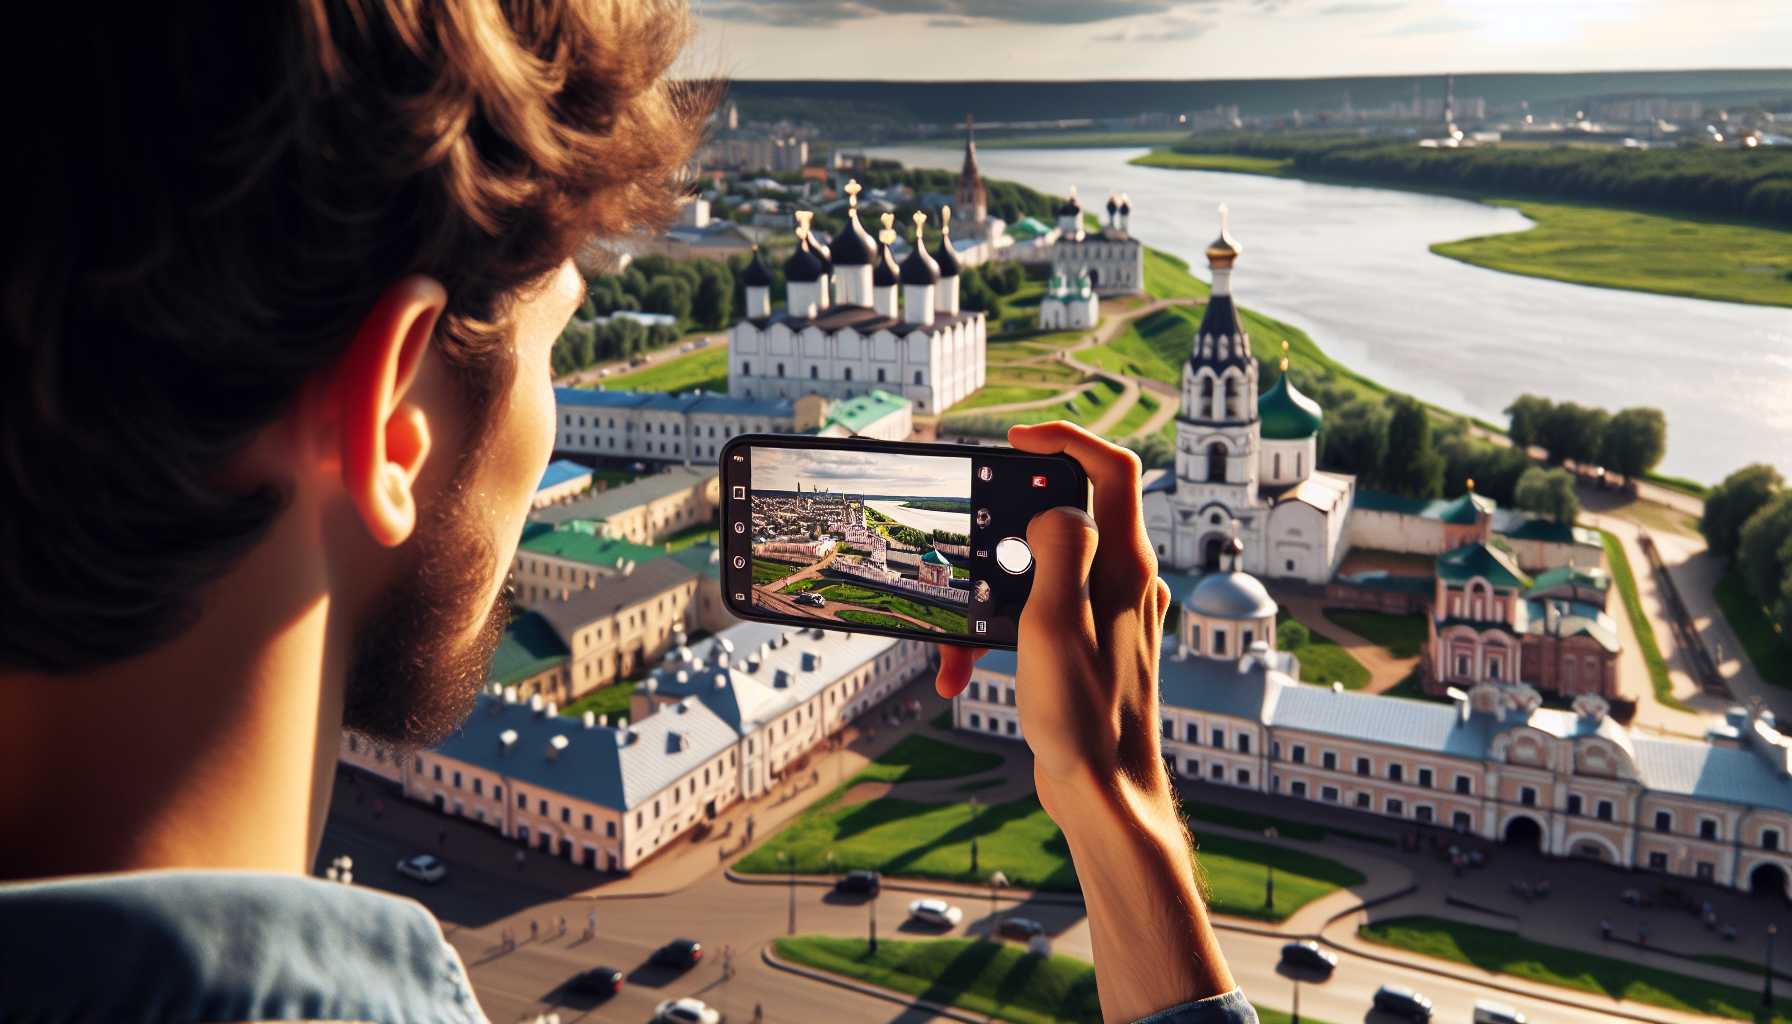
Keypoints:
(300, 266)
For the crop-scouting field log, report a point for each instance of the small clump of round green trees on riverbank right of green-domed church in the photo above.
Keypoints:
(1630, 444)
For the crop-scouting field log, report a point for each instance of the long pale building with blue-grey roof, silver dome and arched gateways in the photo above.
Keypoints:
(1490, 763)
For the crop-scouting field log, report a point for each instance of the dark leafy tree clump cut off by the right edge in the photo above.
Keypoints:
(1748, 519)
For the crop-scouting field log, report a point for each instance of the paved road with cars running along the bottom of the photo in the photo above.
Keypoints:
(478, 907)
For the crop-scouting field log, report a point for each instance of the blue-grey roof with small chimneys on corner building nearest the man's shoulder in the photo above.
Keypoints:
(607, 767)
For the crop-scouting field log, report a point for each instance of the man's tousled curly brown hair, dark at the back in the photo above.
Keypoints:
(212, 195)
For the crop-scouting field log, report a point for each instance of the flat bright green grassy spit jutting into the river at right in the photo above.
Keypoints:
(1639, 252)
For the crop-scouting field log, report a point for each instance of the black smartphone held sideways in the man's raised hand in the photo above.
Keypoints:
(886, 537)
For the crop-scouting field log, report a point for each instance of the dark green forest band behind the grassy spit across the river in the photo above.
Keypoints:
(1745, 184)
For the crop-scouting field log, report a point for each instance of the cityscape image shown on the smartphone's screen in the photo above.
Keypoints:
(868, 539)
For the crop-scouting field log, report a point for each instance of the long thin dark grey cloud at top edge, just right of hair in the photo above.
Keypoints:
(822, 13)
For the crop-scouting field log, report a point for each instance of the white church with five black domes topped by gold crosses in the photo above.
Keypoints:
(843, 333)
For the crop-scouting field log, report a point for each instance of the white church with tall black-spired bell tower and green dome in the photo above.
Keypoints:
(1246, 465)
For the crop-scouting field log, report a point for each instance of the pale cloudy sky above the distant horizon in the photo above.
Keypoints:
(935, 40)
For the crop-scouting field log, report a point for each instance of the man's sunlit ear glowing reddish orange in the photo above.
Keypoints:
(384, 438)
